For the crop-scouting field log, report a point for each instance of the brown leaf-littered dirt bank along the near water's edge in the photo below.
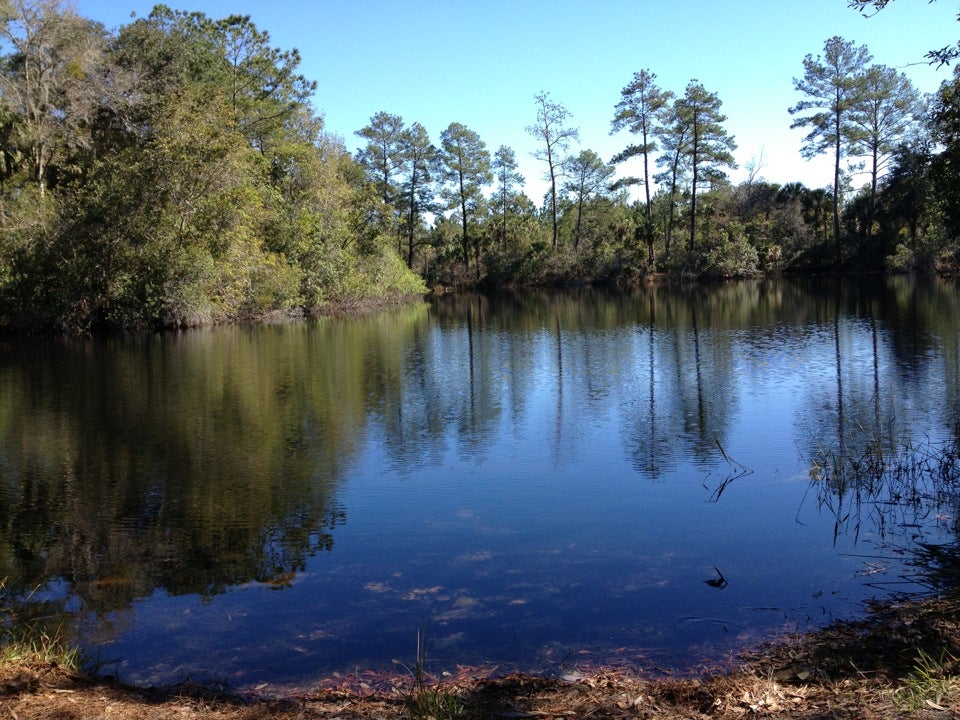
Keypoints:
(900, 662)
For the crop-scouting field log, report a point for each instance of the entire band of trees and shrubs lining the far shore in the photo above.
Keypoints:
(174, 172)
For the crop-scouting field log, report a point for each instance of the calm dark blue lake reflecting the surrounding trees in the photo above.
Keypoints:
(540, 481)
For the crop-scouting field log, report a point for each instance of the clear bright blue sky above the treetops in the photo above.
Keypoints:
(481, 63)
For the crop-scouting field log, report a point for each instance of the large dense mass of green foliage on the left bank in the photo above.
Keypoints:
(216, 197)
